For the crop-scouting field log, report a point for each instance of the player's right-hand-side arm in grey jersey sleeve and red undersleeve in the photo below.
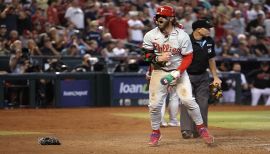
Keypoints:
(187, 54)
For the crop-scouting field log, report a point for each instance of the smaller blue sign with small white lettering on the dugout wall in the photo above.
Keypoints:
(75, 93)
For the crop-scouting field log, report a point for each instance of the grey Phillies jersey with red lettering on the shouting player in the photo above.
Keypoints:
(178, 43)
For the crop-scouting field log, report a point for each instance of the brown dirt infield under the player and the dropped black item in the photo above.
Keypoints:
(99, 130)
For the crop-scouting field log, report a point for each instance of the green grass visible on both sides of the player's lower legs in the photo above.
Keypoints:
(242, 120)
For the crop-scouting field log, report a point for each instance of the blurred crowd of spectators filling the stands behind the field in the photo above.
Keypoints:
(115, 28)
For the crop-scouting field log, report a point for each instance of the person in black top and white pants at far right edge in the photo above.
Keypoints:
(260, 84)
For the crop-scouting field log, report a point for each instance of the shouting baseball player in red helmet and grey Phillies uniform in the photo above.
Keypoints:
(169, 49)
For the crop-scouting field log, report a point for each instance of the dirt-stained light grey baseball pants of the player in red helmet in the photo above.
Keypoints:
(158, 94)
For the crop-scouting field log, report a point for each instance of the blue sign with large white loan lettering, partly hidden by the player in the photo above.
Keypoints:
(129, 90)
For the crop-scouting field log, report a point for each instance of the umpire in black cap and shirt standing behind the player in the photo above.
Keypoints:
(203, 58)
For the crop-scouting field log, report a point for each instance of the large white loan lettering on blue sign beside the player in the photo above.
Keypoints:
(132, 88)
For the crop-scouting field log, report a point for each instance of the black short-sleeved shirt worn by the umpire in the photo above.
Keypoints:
(203, 50)
